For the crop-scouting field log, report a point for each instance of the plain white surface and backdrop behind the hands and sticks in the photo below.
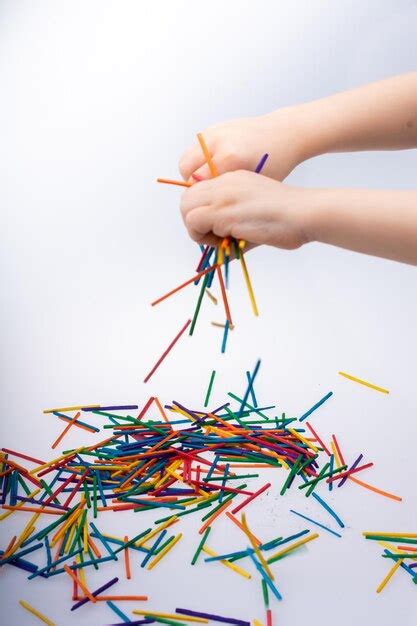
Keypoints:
(99, 98)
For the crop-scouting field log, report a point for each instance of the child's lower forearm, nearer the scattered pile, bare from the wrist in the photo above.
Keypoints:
(380, 223)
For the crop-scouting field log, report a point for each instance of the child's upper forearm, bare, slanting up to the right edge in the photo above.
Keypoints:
(378, 116)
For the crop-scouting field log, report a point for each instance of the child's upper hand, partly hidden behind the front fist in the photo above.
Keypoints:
(241, 143)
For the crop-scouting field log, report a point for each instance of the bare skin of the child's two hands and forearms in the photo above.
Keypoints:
(263, 210)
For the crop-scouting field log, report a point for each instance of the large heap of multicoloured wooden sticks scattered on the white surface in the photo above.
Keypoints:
(175, 461)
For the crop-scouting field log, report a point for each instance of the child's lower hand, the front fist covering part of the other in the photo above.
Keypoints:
(247, 206)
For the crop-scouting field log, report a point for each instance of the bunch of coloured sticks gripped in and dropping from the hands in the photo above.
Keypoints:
(214, 261)
